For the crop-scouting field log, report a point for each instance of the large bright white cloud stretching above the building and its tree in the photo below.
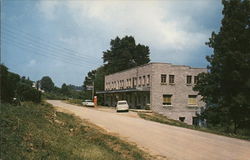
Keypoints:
(165, 25)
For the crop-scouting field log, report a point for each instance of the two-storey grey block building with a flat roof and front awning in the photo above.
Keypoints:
(165, 88)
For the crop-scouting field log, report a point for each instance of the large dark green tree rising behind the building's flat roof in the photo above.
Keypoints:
(124, 54)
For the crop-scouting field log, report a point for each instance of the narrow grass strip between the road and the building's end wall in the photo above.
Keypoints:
(163, 119)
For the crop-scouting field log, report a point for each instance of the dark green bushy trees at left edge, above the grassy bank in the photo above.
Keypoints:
(14, 86)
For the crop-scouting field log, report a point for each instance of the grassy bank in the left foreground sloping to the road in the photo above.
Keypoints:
(38, 131)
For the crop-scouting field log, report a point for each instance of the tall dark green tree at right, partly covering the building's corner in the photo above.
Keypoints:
(226, 86)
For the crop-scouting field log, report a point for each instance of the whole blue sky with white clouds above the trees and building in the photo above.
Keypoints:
(66, 39)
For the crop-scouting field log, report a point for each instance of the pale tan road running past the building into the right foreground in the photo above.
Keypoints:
(175, 143)
